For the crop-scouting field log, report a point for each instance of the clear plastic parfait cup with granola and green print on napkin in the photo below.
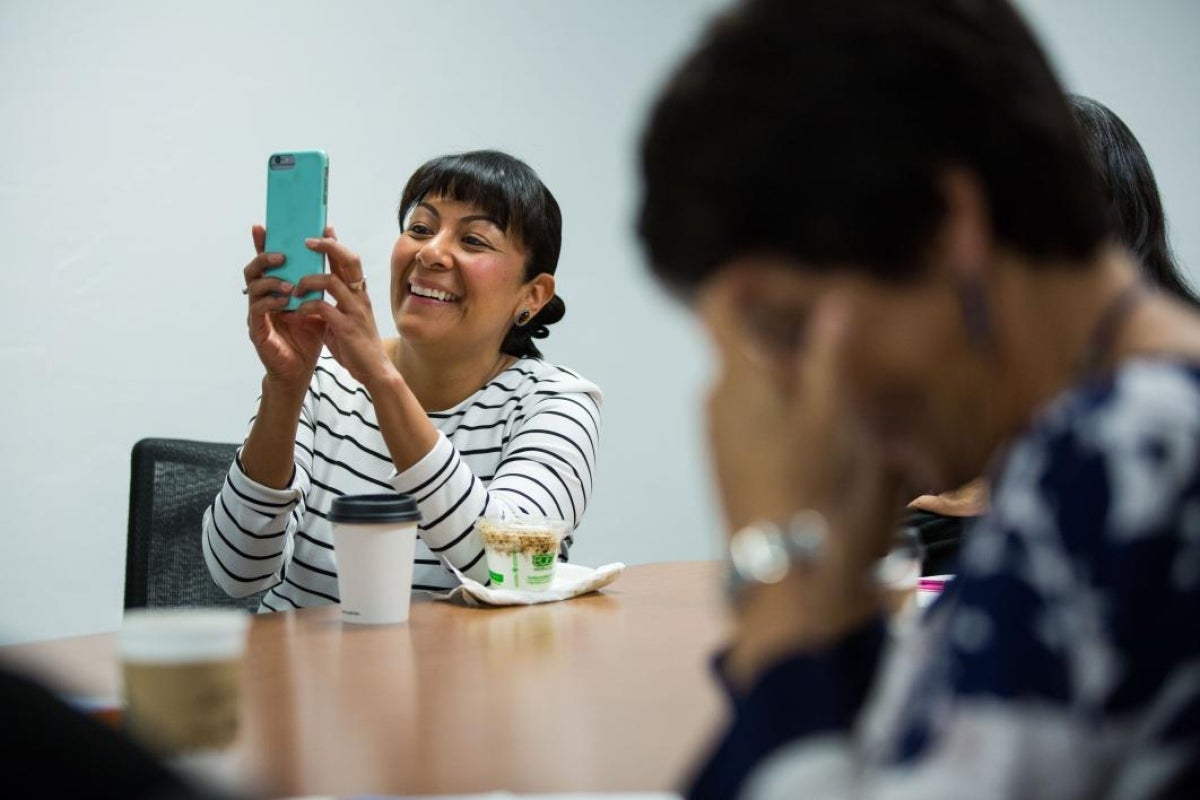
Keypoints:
(523, 551)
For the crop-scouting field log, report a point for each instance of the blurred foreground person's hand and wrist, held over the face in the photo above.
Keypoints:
(783, 438)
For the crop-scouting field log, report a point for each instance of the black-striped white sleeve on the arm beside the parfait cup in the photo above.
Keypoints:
(547, 468)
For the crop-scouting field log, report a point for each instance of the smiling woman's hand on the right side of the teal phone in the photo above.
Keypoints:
(351, 330)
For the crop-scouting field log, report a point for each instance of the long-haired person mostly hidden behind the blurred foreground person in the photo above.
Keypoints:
(1136, 219)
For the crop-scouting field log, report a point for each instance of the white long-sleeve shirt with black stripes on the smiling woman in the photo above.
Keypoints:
(526, 442)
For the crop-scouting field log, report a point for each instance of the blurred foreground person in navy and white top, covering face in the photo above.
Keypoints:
(887, 222)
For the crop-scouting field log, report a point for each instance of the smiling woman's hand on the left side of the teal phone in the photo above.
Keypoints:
(287, 344)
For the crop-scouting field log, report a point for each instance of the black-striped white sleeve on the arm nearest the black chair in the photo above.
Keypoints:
(248, 530)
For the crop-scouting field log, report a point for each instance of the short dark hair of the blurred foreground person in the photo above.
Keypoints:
(821, 130)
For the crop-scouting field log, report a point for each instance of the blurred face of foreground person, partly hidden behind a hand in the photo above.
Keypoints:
(905, 366)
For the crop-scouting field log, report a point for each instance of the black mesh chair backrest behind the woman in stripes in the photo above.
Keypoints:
(172, 482)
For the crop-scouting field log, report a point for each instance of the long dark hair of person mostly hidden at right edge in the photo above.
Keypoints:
(1135, 209)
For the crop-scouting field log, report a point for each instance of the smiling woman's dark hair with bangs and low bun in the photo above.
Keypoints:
(511, 193)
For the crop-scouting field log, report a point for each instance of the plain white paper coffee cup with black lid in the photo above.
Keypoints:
(375, 537)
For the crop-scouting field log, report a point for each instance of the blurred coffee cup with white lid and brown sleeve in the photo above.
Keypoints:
(182, 677)
